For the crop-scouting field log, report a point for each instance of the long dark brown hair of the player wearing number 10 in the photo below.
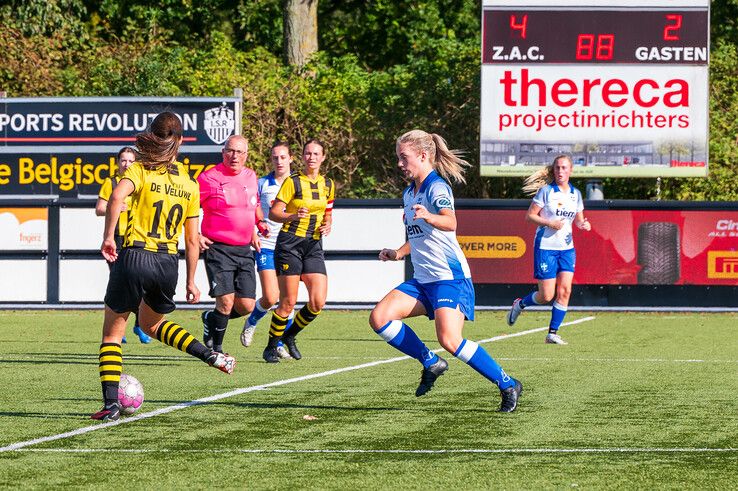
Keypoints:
(158, 147)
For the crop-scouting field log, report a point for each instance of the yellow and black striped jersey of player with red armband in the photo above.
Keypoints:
(317, 195)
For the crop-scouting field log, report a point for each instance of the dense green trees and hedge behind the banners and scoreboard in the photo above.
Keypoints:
(385, 67)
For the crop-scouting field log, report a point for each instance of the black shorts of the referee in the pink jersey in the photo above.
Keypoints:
(230, 269)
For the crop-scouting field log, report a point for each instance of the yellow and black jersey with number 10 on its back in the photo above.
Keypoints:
(161, 202)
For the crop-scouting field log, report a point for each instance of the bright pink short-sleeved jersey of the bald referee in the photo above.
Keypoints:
(229, 204)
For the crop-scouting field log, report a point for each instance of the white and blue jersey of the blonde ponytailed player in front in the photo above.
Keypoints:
(435, 254)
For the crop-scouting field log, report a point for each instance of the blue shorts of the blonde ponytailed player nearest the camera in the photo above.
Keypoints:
(444, 293)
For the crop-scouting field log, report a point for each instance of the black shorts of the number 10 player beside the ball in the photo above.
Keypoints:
(139, 274)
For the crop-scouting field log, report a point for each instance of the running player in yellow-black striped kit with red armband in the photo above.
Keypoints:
(304, 205)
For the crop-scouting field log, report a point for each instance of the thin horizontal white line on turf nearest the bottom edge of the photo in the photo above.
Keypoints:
(389, 451)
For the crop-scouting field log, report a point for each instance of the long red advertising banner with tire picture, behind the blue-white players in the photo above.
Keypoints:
(624, 247)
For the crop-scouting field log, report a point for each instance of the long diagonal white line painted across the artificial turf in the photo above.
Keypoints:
(246, 390)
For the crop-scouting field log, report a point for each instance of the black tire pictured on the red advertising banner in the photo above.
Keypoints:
(658, 253)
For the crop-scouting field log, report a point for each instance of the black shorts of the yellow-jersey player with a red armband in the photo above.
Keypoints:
(295, 255)
